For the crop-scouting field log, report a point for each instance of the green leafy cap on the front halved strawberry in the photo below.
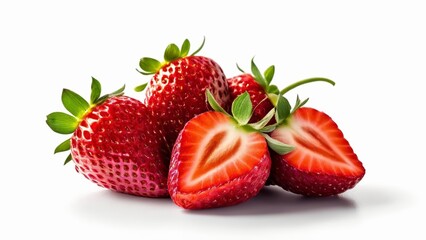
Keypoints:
(242, 110)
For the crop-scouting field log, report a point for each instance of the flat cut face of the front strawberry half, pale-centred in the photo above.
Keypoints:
(216, 151)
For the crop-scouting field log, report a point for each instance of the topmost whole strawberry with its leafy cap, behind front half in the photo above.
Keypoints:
(176, 92)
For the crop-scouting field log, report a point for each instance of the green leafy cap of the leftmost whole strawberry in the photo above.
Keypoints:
(64, 123)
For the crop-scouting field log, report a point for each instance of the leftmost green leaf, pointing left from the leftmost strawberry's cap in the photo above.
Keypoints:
(61, 122)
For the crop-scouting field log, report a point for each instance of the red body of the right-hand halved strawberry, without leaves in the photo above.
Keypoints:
(322, 163)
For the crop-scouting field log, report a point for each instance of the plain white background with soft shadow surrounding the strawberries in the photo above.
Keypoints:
(374, 50)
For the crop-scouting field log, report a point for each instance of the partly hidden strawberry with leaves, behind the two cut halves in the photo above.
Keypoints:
(258, 86)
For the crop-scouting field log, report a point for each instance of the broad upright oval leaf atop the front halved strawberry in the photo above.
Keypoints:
(242, 108)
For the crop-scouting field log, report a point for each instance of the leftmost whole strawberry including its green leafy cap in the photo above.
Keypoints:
(116, 142)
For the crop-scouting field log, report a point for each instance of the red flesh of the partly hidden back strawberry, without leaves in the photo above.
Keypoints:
(261, 102)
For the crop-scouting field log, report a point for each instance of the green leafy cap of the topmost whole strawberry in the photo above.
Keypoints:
(173, 52)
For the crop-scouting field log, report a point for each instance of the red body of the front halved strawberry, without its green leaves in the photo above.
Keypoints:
(214, 163)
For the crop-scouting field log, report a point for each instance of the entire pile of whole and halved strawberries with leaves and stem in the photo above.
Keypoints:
(203, 139)
